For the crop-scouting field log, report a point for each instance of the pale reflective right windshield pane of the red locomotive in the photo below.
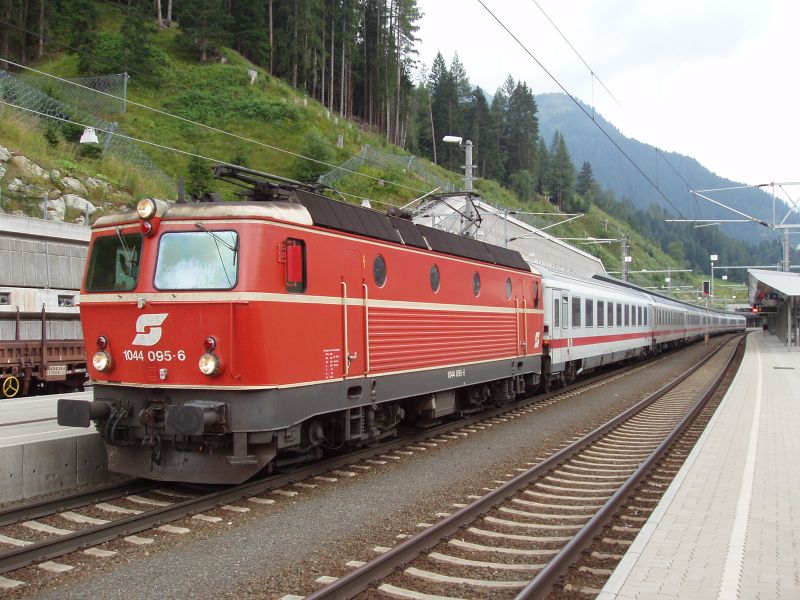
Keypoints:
(197, 260)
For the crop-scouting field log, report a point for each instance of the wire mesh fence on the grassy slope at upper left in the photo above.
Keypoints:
(59, 100)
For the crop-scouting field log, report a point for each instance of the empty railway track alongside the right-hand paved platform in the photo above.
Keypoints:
(522, 538)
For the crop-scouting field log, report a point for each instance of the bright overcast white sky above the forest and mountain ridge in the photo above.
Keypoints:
(713, 79)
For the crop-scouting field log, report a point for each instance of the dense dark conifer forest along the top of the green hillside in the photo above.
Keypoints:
(358, 59)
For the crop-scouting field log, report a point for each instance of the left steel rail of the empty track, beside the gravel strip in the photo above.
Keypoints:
(356, 581)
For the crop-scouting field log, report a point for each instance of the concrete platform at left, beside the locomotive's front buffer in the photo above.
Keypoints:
(37, 456)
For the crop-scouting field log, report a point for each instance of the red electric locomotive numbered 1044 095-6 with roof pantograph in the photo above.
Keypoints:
(231, 337)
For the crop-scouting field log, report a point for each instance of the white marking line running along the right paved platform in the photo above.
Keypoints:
(734, 559)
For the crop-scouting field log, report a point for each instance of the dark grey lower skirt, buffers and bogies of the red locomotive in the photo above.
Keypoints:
(216, 436)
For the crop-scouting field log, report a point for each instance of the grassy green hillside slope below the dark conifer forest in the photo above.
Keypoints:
(213, 111)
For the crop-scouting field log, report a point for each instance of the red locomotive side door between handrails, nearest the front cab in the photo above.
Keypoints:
(354, 292)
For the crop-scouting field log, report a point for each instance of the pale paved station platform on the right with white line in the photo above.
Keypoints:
(729, 525)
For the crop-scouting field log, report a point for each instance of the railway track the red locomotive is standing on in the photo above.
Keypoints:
(34, 533)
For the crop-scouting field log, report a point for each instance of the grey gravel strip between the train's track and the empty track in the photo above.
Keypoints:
(282, 548)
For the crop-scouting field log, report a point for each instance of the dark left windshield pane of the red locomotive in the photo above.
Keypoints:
(114, 263)
